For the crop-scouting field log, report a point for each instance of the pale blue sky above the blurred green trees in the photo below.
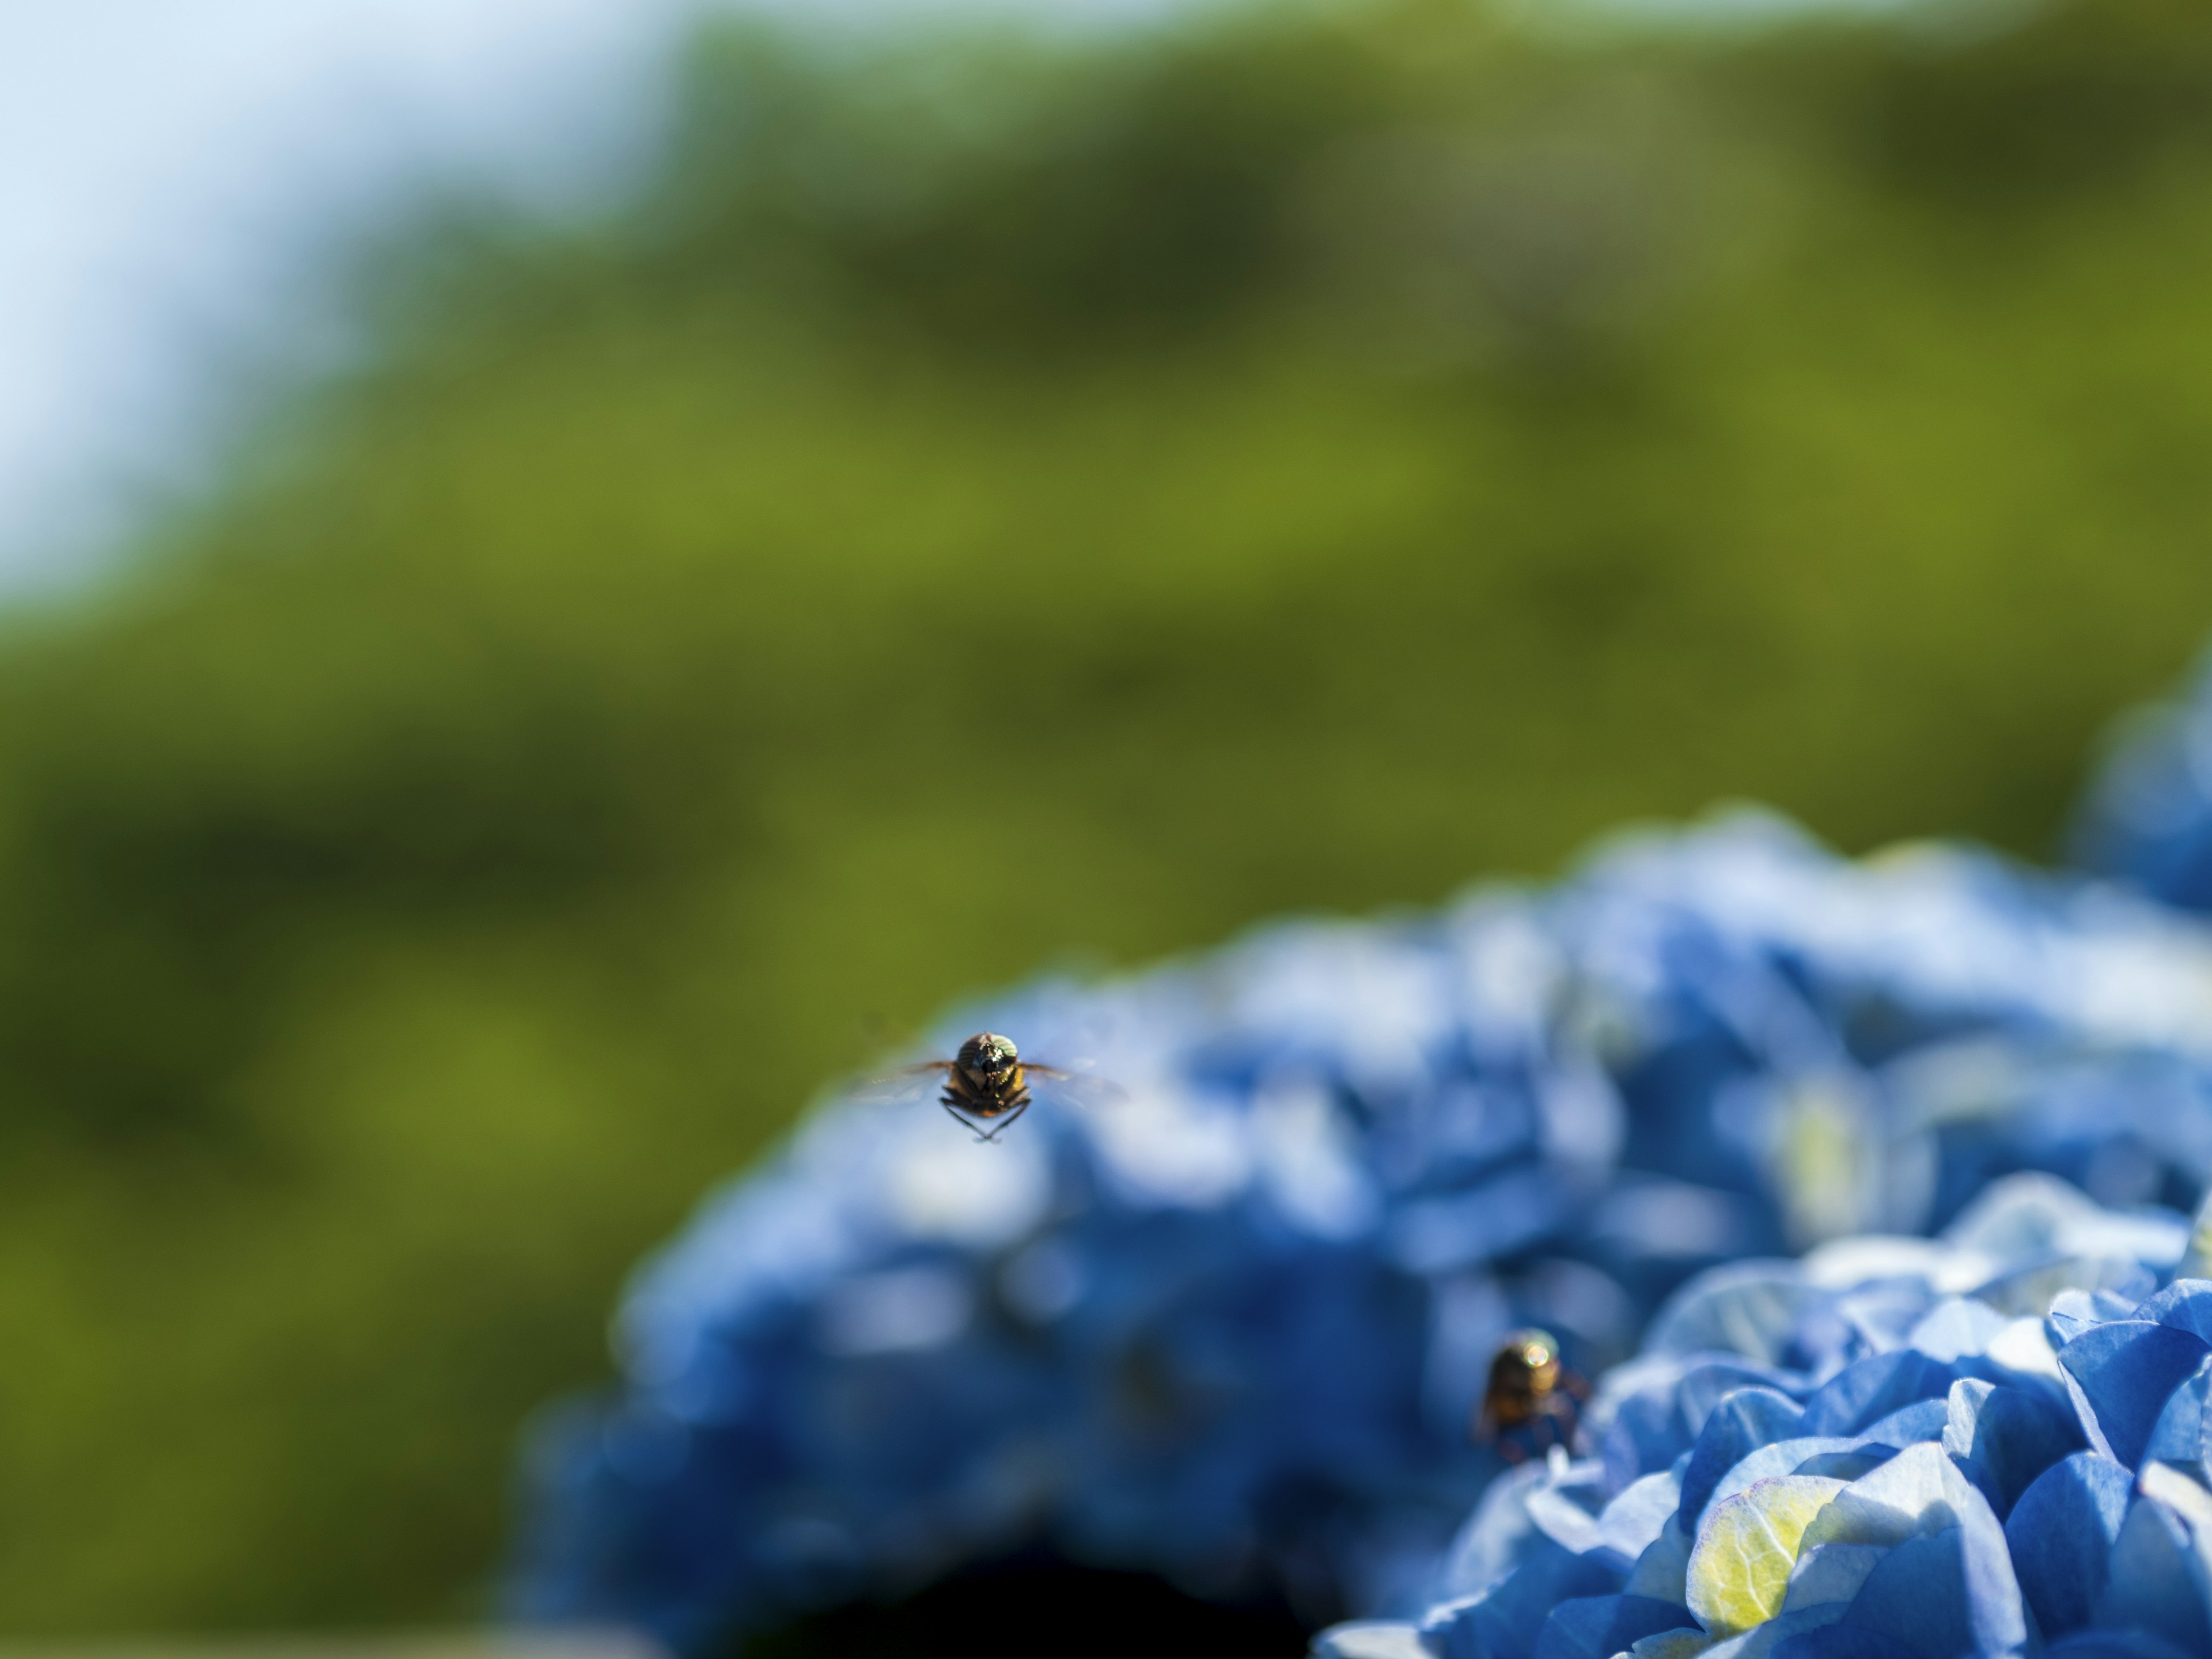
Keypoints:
(169, 171)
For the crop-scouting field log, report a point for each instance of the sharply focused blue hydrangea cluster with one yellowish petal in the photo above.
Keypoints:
(1884, 1452)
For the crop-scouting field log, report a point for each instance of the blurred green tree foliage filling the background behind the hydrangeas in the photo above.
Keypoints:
(981, 508)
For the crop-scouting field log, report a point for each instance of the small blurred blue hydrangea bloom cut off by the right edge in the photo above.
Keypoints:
(2149, 817)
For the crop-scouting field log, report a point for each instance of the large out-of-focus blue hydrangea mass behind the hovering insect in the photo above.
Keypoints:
(1235, 1328)
